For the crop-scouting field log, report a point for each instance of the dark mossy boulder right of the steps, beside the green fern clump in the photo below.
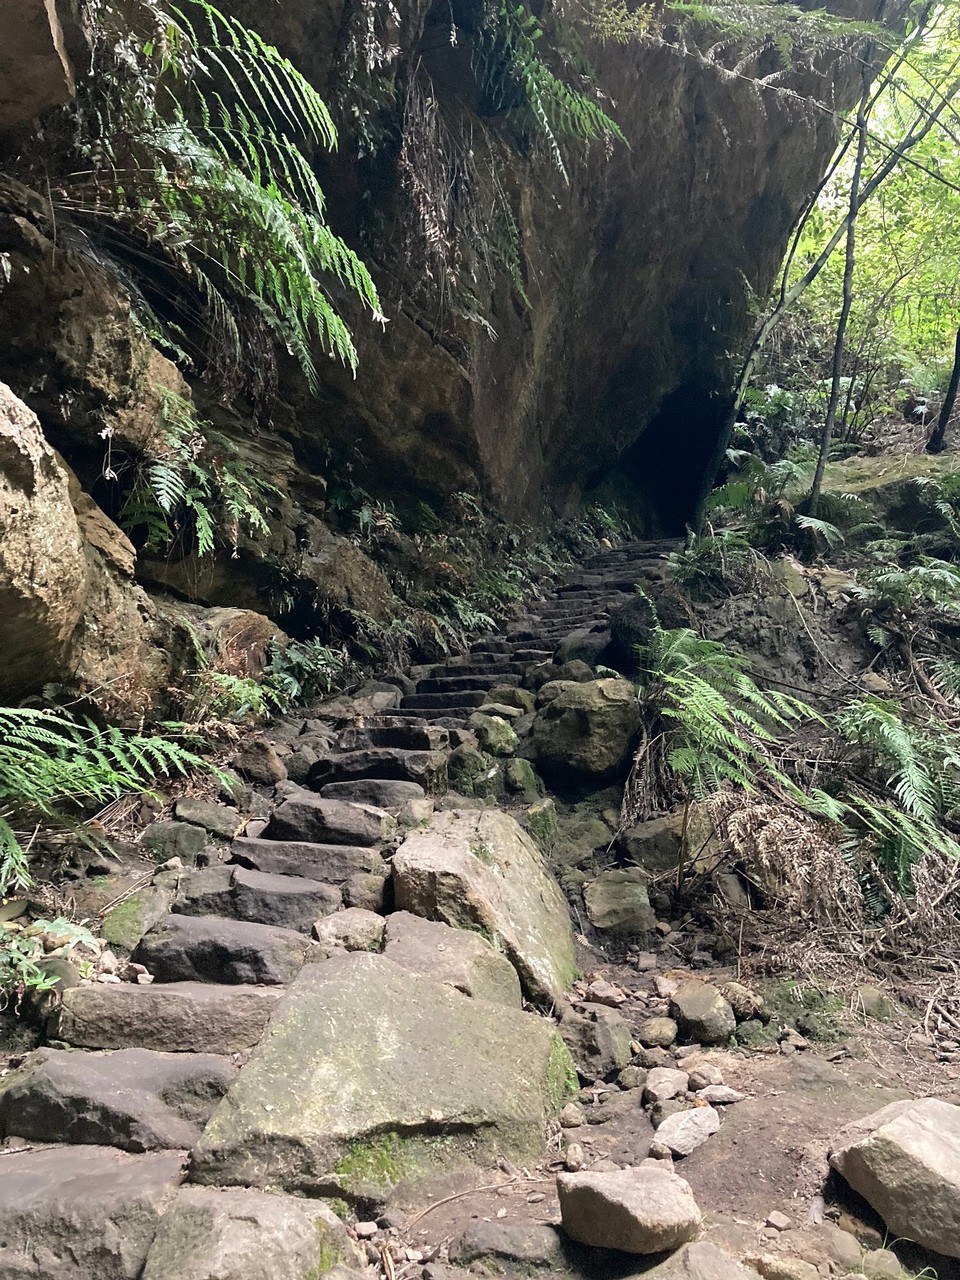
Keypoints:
(584, 733)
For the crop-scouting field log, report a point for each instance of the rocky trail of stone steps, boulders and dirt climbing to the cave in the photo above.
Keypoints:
(346, 1018)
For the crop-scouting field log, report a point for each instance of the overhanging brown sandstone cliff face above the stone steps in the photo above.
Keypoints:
(641, 272)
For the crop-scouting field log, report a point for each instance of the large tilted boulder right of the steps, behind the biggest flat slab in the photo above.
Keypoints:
(481, 870)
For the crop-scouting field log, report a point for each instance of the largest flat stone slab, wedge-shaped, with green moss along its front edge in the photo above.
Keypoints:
(371, 1075)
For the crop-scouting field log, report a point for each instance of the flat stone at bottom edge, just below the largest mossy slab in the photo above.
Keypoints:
(240, 1235)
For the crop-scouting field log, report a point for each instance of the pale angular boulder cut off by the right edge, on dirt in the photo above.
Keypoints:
(906, 1163)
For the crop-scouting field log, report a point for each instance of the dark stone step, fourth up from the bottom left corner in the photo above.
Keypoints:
(213, 949)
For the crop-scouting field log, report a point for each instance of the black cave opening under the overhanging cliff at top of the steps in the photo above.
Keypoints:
(666, 467)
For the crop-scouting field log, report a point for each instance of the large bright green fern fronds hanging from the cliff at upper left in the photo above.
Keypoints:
(194, 130)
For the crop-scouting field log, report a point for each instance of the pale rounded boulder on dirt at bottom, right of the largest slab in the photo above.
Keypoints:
(647, 1209)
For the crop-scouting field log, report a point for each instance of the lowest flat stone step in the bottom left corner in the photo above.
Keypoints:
(83, 1213)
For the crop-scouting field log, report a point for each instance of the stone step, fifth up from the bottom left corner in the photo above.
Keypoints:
(291, 903)
